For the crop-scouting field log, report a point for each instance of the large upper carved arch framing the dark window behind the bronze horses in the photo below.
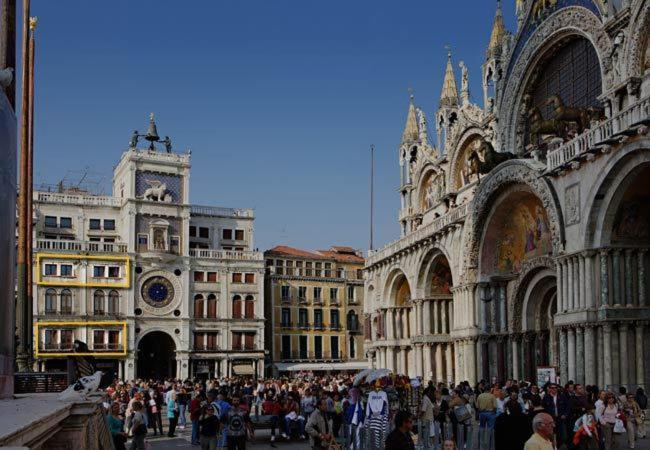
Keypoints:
(574, 20)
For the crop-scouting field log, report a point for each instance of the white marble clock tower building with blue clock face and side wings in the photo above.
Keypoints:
(185, 281)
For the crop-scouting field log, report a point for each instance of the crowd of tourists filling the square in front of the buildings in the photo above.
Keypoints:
(327, 411)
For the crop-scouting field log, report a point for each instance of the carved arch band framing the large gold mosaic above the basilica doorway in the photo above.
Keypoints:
(497, 182)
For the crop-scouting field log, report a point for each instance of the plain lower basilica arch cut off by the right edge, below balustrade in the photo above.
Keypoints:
(607, 190)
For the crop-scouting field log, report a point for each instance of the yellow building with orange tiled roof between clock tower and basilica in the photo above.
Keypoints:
(314, 309)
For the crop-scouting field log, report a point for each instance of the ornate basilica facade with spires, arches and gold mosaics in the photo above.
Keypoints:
(525, 220)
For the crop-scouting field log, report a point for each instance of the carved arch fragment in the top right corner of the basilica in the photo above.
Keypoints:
(638, 40)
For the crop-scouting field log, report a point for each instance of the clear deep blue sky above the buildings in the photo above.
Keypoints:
(278, 100)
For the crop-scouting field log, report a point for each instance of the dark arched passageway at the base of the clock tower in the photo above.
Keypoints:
(156, 356)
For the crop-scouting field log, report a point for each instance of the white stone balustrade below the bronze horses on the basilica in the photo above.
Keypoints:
(601, 134)
